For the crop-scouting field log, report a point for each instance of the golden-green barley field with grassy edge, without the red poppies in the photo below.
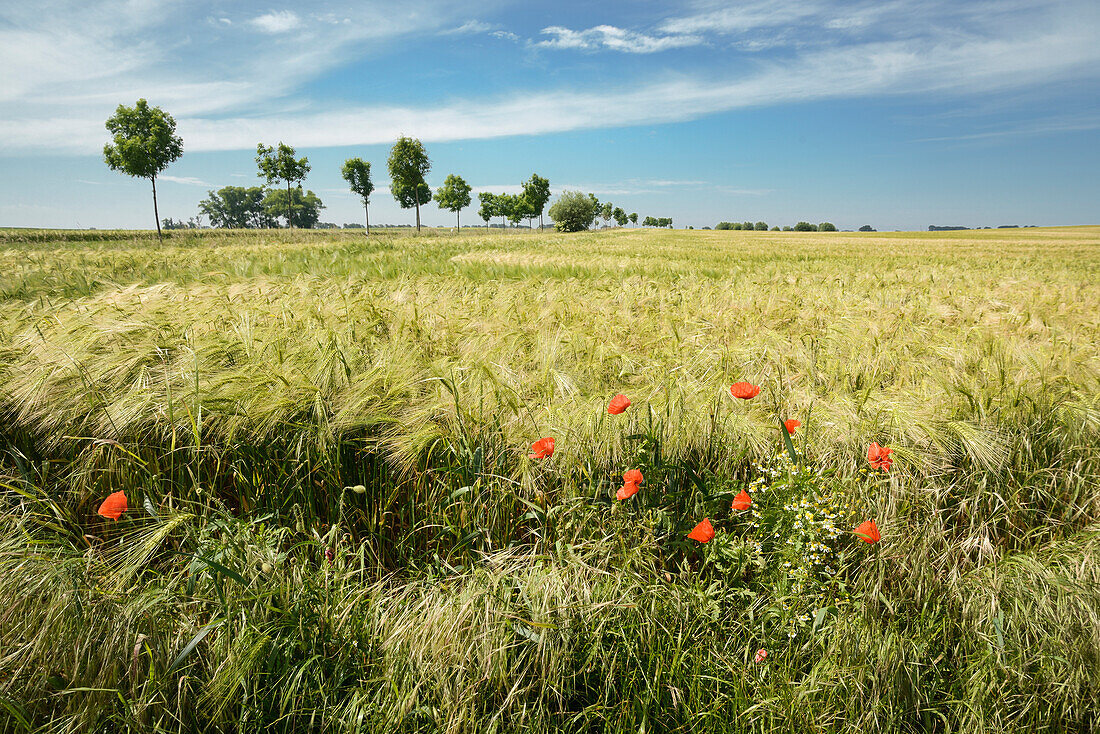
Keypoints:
(335, 523)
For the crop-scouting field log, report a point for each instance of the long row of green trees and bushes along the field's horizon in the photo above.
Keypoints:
(145, 144)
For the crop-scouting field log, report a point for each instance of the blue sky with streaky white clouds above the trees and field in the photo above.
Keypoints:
(898, 114)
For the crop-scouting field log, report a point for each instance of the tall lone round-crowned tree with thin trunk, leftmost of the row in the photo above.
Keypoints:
(144, 144)
